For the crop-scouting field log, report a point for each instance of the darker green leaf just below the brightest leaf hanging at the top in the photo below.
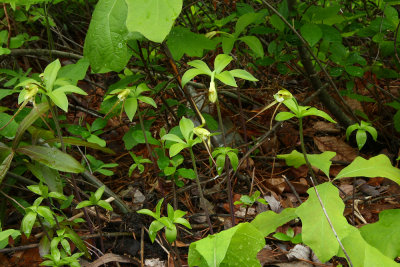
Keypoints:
(182, 41)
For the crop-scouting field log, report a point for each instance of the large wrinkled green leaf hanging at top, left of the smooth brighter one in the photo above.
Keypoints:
(105, 43)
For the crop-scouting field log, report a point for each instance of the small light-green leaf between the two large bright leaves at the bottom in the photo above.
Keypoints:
(267, 221)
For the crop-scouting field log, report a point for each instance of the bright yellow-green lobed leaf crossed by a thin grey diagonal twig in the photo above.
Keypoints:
(317, 233)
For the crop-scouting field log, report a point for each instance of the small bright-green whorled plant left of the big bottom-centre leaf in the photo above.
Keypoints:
(168, 223)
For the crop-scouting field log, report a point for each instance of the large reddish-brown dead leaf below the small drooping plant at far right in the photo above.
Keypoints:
(344, 152)
